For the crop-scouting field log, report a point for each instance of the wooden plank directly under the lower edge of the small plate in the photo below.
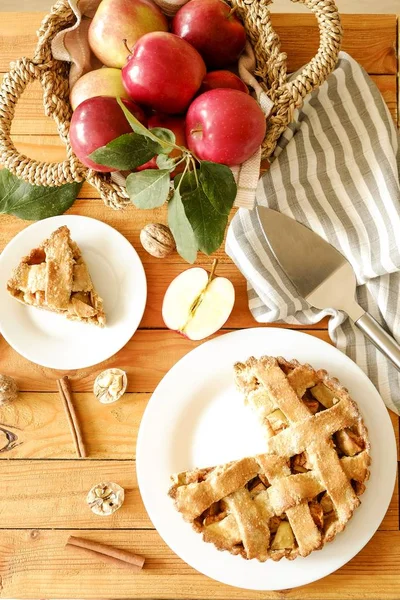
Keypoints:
(145, 358)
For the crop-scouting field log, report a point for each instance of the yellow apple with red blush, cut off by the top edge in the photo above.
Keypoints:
(119, 20)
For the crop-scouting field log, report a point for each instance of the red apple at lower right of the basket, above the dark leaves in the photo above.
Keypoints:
(225, 126)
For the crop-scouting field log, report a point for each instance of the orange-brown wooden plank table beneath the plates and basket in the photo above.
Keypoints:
(43, 484)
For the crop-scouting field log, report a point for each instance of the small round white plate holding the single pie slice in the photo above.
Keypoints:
(51, 340)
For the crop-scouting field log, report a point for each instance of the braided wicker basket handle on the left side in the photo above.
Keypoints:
(52, 76)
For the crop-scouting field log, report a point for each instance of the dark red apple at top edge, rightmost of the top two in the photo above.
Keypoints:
(212, 28)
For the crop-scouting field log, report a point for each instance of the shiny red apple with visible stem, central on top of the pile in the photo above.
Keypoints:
(163, 72)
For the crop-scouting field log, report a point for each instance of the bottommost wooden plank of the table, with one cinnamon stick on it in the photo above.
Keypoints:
(36, 564)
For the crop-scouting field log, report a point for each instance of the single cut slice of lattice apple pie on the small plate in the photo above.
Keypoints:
(55, 277)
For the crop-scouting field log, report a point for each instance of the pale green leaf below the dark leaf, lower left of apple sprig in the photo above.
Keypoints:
(149, 188)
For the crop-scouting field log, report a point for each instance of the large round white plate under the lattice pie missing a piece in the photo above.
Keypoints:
(196, 418)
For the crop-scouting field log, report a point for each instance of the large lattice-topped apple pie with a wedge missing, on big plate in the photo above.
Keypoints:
(302, 491)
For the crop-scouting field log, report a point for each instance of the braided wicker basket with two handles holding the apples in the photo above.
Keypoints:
(53, 75)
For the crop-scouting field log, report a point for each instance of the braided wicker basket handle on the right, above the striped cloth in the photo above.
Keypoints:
(320, 66)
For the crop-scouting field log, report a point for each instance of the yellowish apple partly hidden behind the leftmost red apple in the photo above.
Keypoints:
(101, 82)
